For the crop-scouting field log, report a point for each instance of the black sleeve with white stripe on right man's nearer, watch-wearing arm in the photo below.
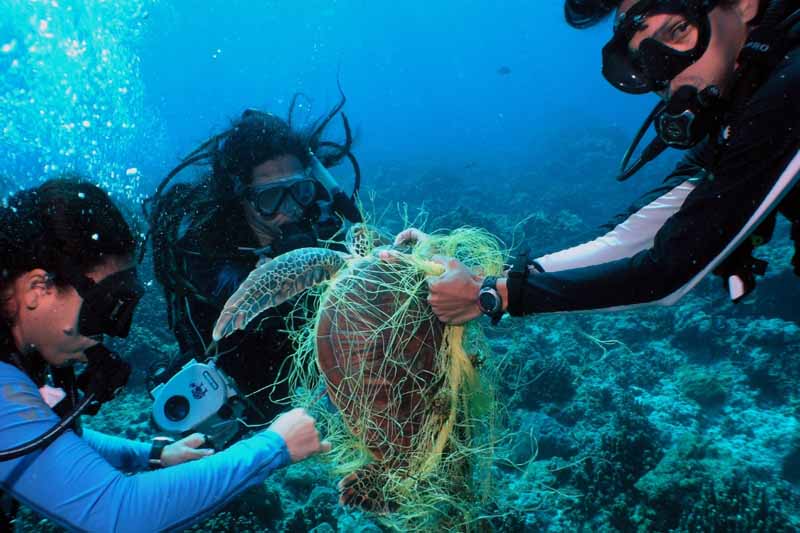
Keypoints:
(756, 158)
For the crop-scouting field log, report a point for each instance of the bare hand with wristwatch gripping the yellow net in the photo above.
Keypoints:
(454, 294)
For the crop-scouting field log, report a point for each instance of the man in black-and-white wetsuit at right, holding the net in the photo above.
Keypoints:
(728, 72)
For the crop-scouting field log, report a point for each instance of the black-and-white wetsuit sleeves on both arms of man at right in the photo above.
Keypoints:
(715, 198)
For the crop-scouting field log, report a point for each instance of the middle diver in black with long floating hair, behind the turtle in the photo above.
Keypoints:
(268, 192)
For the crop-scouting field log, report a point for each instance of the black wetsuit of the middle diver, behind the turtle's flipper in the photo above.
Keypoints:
(216, 257)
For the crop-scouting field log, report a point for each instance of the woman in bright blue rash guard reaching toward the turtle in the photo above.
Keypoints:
(66, 279)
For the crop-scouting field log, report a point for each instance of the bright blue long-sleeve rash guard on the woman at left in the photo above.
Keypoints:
(81, 483)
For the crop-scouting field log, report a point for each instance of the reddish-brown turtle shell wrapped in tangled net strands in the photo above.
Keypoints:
(377, 347)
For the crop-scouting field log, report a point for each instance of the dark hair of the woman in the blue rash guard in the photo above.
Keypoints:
(62, 226)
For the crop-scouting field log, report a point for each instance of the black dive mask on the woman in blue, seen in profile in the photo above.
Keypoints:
(108, 306)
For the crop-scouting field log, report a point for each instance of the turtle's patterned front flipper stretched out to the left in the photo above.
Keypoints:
(275, 282)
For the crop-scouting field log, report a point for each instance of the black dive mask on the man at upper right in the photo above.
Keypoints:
(668, 51)
